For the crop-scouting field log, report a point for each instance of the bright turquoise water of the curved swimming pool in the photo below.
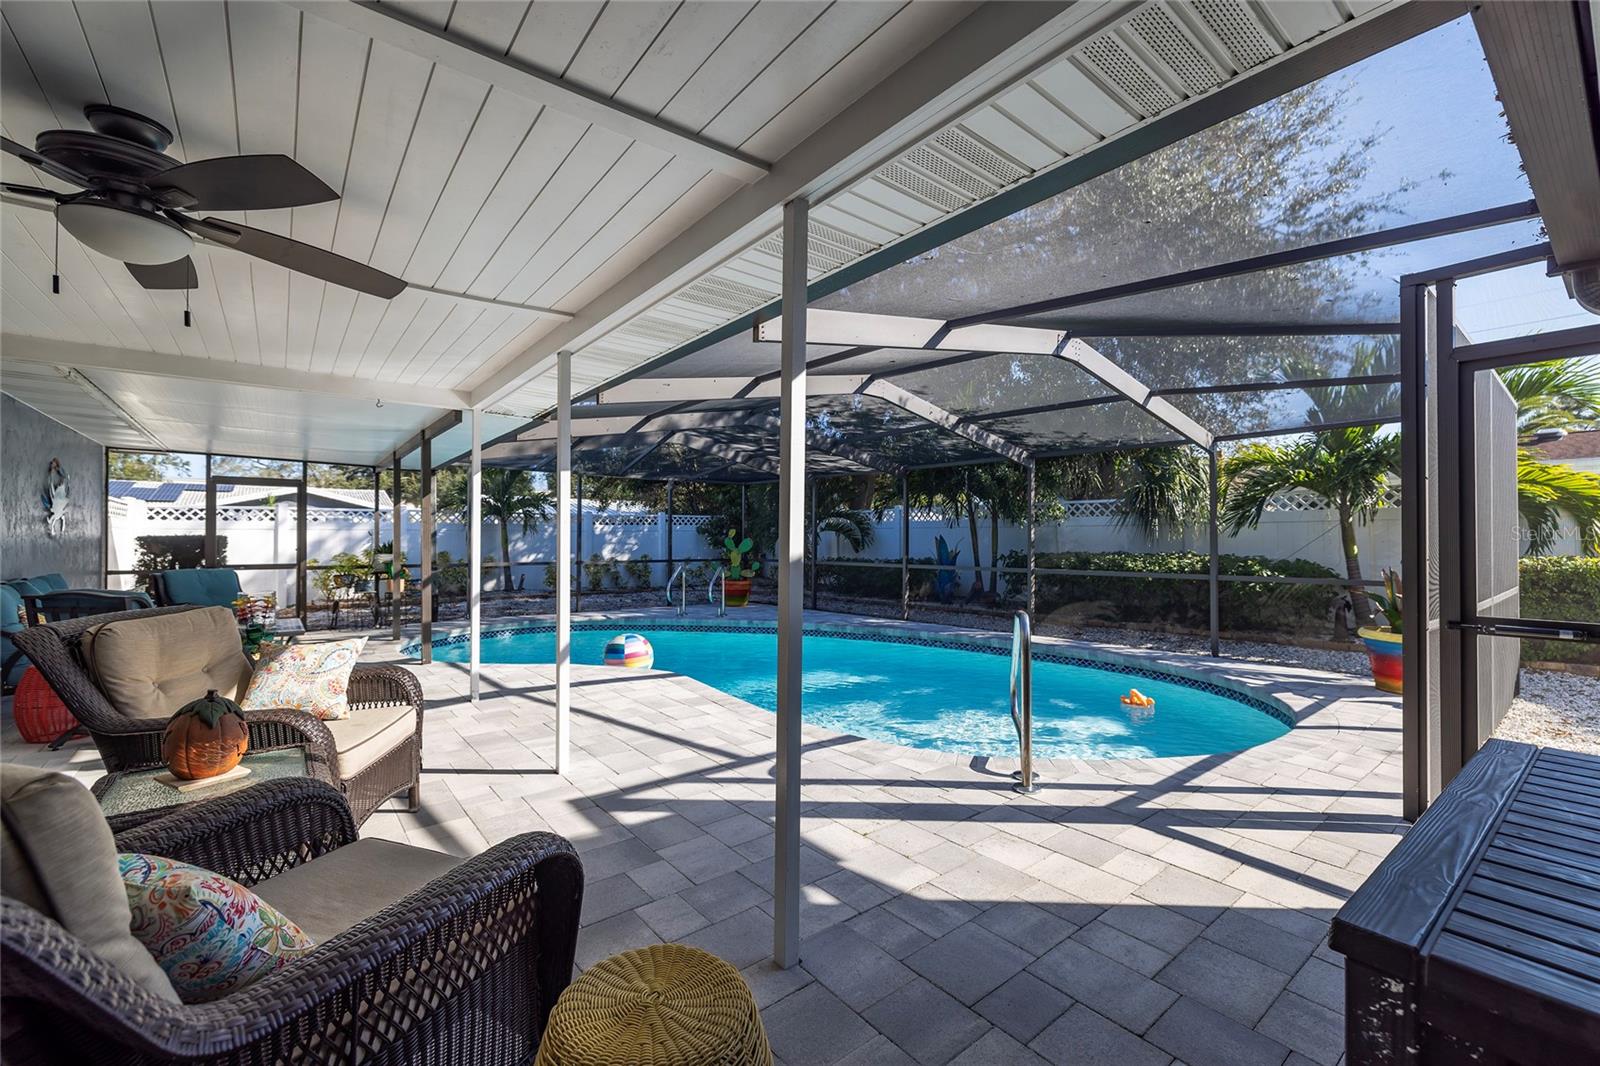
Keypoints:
(930, 692)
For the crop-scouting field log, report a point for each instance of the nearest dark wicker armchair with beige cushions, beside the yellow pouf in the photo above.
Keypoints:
(422, 958)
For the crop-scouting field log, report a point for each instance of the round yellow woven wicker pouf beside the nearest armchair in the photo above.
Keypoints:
(660, 1006)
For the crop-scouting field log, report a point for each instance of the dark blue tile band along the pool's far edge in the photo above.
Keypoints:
(988, 644)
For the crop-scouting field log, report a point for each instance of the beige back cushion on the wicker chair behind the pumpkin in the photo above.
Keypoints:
(153, 667)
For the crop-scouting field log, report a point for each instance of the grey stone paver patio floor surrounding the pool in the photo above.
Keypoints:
(1132, 912)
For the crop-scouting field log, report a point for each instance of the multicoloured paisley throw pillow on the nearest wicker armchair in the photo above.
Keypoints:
(210, 934)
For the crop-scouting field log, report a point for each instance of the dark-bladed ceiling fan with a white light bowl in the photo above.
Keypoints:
(135, 202)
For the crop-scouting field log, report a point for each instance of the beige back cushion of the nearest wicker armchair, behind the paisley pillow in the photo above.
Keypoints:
(58, 857)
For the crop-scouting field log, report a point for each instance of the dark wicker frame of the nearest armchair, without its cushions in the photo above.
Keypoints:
(463, 971)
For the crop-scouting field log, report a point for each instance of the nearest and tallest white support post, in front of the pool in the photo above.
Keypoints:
(791, 590)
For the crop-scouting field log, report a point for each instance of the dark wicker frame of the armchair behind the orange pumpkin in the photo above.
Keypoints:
(127, 743)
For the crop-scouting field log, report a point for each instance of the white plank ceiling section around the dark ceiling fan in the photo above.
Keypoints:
(447, 180)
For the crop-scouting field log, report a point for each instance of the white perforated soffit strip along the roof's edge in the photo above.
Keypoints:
(1154, 58)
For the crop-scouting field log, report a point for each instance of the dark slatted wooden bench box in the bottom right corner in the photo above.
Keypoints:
(1478, 940)
